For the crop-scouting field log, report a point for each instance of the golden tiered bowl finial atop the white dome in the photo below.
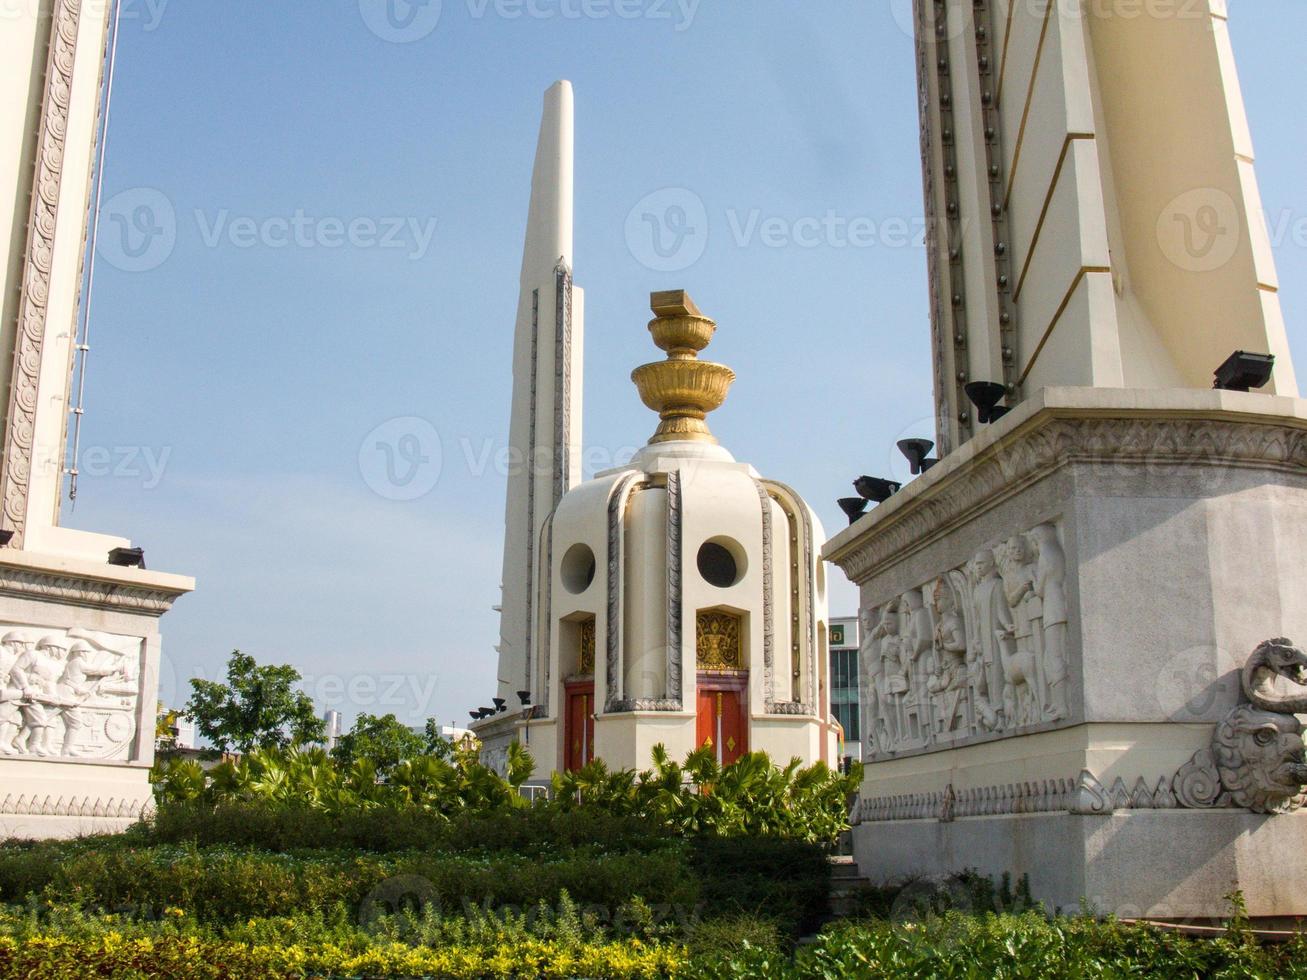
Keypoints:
(683, 390)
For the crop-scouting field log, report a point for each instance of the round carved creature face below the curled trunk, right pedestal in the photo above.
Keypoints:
(1261, 757)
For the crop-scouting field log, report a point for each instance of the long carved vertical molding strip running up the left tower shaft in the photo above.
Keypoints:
(29, 344)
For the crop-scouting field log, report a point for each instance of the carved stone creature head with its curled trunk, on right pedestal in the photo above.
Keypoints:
(1257, 759)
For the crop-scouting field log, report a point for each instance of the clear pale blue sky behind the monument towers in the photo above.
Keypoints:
(343, 195)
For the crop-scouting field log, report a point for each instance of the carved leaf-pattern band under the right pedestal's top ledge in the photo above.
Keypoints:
(1049, 444)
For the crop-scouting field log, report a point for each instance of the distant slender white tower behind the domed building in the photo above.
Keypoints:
(547, 387)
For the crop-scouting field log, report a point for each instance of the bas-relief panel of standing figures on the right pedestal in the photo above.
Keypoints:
(980, 650)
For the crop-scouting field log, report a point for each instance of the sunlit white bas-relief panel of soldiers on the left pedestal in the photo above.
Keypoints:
(67, 694)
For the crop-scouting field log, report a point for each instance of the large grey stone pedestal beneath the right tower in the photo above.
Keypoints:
(1055, 620)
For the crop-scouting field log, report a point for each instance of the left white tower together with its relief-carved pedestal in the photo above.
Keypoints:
(79, 612)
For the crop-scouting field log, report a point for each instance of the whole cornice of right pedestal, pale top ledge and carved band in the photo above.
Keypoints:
(1063, 427)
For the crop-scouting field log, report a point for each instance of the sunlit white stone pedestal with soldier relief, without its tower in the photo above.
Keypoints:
(79, 681)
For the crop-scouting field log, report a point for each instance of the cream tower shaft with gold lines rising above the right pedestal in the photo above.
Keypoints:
(1093, 223)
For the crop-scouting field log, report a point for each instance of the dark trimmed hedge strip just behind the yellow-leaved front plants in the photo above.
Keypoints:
(782, 881)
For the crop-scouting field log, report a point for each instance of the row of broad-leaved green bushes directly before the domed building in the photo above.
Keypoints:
(750, 798)
